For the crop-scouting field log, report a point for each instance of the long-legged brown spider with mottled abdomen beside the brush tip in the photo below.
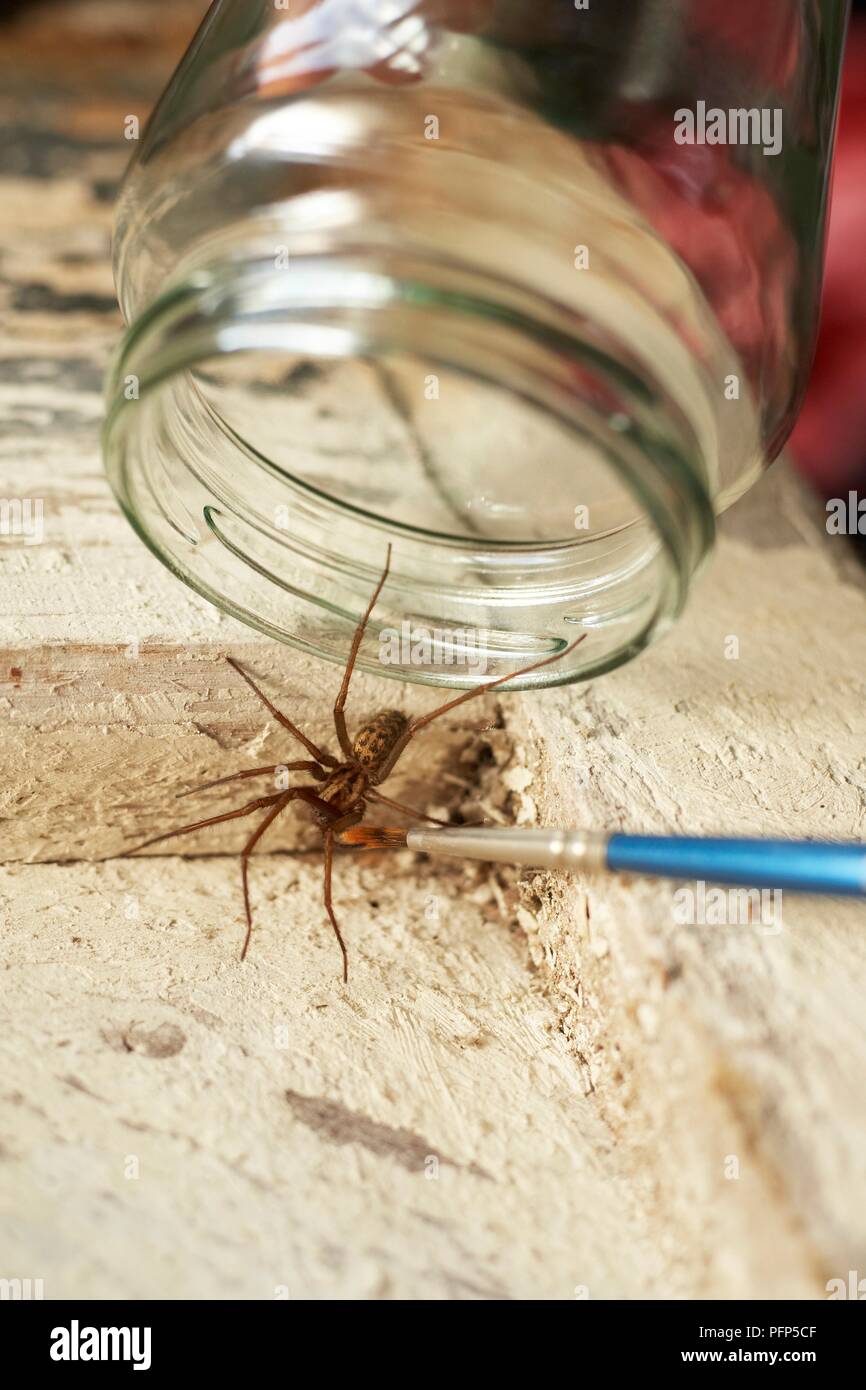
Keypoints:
(340, 801)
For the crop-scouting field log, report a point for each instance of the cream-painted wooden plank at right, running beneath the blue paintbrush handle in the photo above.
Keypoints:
(717, 1043)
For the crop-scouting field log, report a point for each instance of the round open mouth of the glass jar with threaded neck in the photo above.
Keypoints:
(272, 430)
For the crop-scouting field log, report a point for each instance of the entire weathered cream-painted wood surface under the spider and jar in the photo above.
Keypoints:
(589, 1074)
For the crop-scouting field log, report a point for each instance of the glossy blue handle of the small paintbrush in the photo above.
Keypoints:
(799, 867)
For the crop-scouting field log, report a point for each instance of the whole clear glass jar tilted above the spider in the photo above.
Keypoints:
(525, 288)
